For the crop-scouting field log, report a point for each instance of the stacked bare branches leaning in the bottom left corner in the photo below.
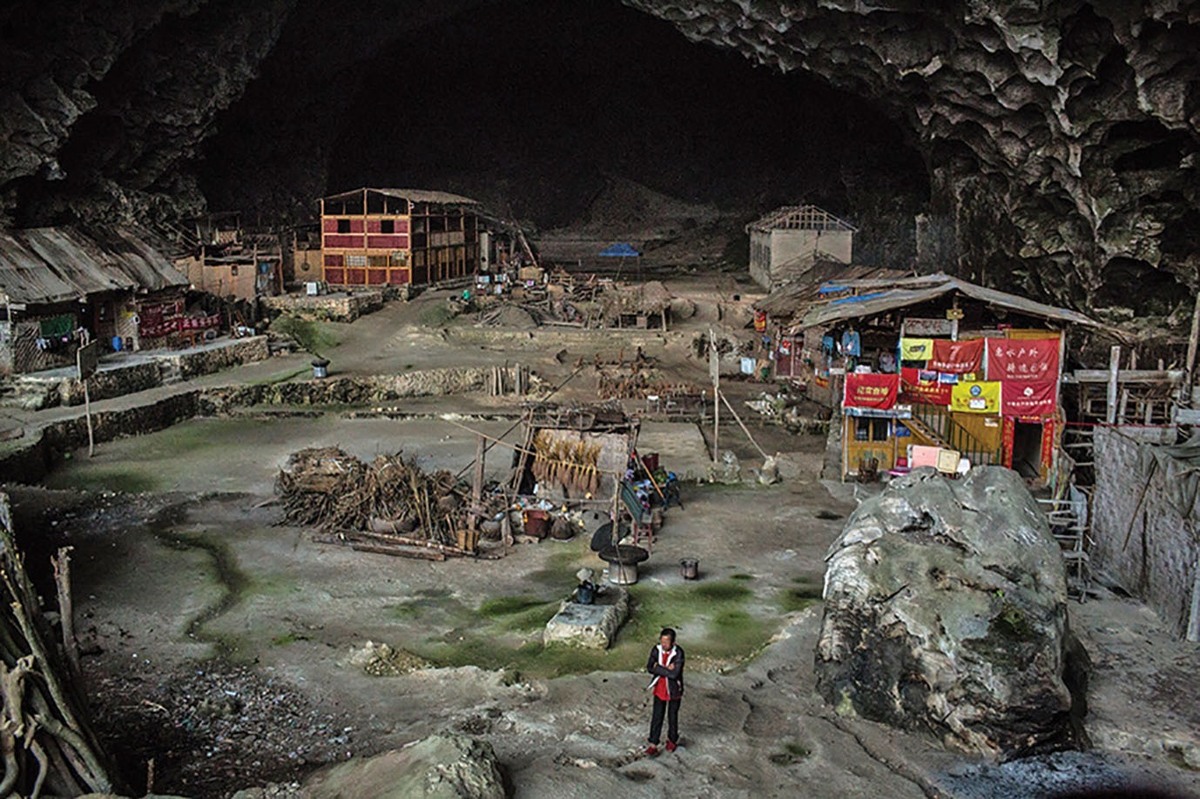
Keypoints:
(45, 741)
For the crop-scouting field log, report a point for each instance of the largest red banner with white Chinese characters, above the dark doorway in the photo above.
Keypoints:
(1029, 370)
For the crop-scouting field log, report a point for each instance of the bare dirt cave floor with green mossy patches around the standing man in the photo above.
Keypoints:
(218, 641)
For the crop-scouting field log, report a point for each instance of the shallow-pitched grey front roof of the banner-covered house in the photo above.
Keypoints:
(904, 293)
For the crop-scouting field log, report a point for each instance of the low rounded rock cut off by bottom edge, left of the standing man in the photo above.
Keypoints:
(447, 766)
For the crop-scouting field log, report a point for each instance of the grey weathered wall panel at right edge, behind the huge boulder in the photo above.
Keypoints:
(1141, 538)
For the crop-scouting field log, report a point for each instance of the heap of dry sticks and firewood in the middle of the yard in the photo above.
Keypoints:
(387, 506)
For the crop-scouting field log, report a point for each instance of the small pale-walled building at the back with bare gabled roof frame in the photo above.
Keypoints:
(788, 242)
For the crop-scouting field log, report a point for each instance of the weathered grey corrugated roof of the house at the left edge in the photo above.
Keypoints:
(45, 266)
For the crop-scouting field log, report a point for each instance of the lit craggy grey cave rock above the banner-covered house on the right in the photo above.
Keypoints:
(1061, 137)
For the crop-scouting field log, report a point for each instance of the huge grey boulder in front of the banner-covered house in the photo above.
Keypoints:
(946, 610)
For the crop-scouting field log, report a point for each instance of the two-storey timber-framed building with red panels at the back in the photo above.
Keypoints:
(395, 237)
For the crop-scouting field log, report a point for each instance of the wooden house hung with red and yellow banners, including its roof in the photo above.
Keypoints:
(937, 367)
